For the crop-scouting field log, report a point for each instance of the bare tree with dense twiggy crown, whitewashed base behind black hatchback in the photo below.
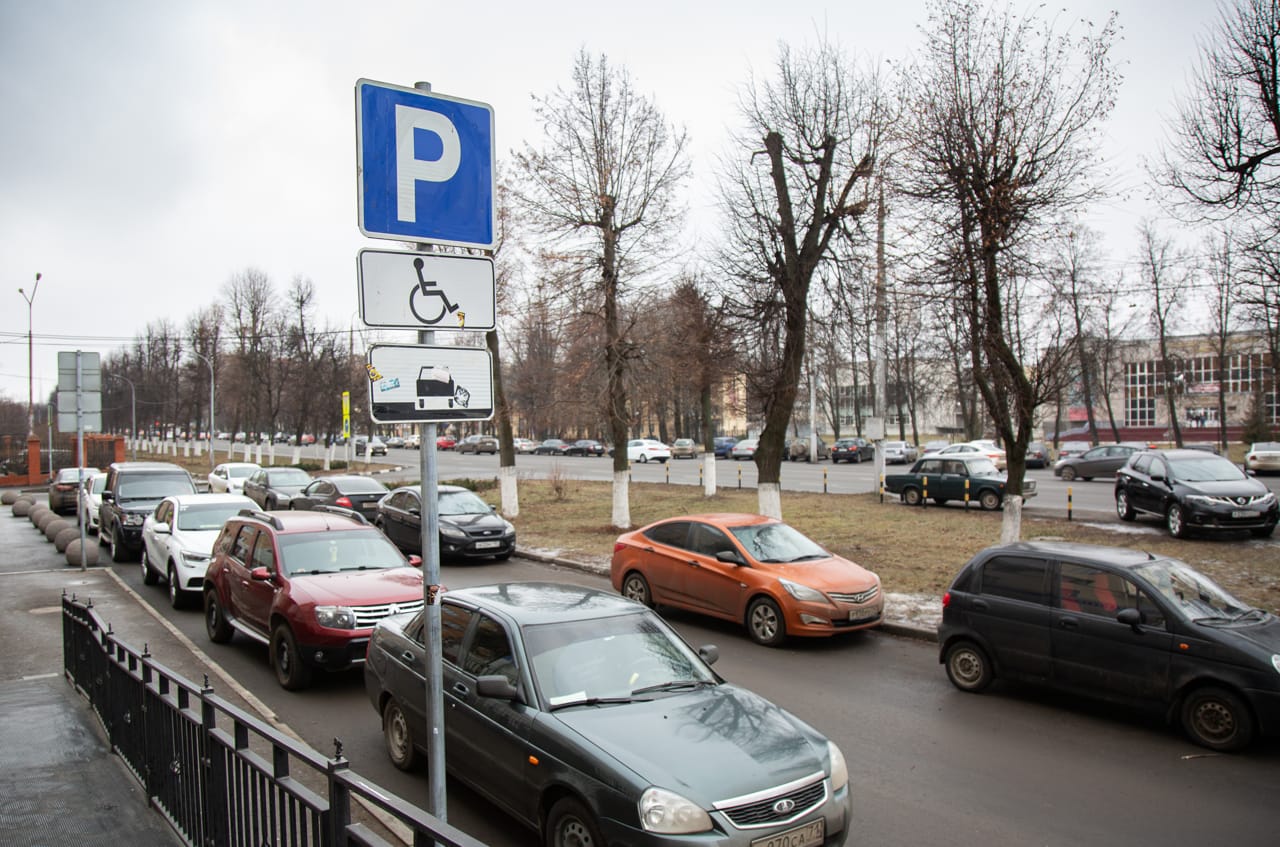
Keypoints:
(1005, 117)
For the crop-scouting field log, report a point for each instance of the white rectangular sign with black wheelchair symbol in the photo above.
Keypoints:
(426, 291)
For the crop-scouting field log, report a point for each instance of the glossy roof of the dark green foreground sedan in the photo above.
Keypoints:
(534, 603)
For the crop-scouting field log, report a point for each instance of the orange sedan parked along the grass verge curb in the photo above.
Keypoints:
(749, 569)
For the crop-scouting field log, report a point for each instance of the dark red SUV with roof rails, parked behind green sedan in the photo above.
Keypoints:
(312, 585)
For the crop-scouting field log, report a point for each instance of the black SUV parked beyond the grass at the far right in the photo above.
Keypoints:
(1194, 491)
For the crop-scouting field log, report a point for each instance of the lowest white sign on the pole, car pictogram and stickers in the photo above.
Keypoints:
(420, 384)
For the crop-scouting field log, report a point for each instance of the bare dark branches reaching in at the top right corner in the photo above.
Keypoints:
(1226, 154)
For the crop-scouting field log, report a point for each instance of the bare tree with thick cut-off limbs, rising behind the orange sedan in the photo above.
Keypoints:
(798, 180)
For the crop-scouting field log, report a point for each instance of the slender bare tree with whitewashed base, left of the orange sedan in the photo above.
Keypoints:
(605, 186)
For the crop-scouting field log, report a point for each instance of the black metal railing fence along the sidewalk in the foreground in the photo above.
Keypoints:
(218, 775)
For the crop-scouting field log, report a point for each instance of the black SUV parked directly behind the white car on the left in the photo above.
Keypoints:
(132, 492)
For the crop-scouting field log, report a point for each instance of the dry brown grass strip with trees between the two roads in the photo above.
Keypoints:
(915, 551)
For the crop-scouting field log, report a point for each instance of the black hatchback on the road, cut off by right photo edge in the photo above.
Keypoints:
(1117, 625)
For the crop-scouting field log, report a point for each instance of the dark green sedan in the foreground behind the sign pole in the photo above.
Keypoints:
(586, 717)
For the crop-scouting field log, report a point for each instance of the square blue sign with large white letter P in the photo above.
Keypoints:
(424, 166)
